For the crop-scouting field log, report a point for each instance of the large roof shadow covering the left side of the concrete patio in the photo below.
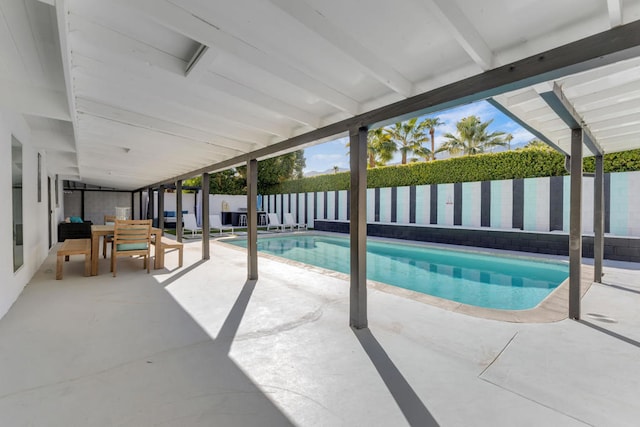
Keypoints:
(121, 351)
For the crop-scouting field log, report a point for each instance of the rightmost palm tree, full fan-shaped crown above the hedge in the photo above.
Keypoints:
(472, 137)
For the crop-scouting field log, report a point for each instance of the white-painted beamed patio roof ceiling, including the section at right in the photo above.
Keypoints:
(103, 84)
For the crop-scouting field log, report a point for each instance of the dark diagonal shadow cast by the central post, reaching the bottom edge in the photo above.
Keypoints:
(415, 412)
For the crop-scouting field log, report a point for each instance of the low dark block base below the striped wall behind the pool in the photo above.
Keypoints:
(556, 243)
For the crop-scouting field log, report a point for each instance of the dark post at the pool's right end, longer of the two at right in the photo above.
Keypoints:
(575, 224)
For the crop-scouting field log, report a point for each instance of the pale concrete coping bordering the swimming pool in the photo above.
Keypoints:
(553, 308)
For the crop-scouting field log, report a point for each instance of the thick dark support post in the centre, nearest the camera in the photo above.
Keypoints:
(358, 228)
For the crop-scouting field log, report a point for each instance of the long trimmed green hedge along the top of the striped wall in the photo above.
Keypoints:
(526, 163)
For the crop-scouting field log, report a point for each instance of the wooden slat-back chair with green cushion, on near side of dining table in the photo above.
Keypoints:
(131, 237)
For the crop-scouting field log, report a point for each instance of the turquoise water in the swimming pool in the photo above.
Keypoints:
(483, 280)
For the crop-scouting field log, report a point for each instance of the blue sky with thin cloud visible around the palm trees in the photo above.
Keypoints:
(325, 156)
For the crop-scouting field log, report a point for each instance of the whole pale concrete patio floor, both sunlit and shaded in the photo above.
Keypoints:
(200, 345)
